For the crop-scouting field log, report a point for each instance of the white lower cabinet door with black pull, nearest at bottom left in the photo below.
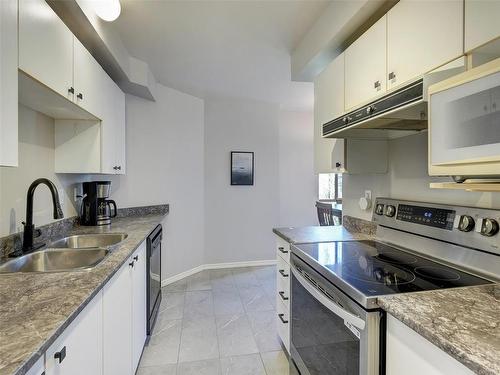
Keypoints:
(78, 351)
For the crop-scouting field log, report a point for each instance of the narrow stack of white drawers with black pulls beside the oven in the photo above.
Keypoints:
(283, 276)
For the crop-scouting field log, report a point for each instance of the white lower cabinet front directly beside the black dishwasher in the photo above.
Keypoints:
(124, 316)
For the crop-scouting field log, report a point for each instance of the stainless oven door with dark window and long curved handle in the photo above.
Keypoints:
(330, 333)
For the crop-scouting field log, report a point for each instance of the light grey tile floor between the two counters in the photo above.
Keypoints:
(217, 322)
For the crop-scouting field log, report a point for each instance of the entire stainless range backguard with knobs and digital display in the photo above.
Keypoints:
(467, 226)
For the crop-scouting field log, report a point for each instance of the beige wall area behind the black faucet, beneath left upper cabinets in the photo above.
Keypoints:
(36, 159)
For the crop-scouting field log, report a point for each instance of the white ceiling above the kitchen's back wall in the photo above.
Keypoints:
(222, 48)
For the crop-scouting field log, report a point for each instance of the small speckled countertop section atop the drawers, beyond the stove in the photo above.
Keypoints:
(317, 234)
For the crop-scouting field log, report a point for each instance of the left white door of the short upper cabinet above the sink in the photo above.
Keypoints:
(45, 46)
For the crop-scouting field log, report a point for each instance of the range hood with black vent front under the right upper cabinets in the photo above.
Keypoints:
(397, 114)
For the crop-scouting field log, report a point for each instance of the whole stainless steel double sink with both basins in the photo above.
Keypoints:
(78, 252)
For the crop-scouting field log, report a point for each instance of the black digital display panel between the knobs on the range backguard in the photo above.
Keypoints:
(431, 216)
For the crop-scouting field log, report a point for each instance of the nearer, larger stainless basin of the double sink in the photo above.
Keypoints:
(55, 260)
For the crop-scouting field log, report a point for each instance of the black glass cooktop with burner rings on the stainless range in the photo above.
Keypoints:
(374, 268)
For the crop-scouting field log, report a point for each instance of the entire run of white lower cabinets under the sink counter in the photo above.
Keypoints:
(108, 336)
